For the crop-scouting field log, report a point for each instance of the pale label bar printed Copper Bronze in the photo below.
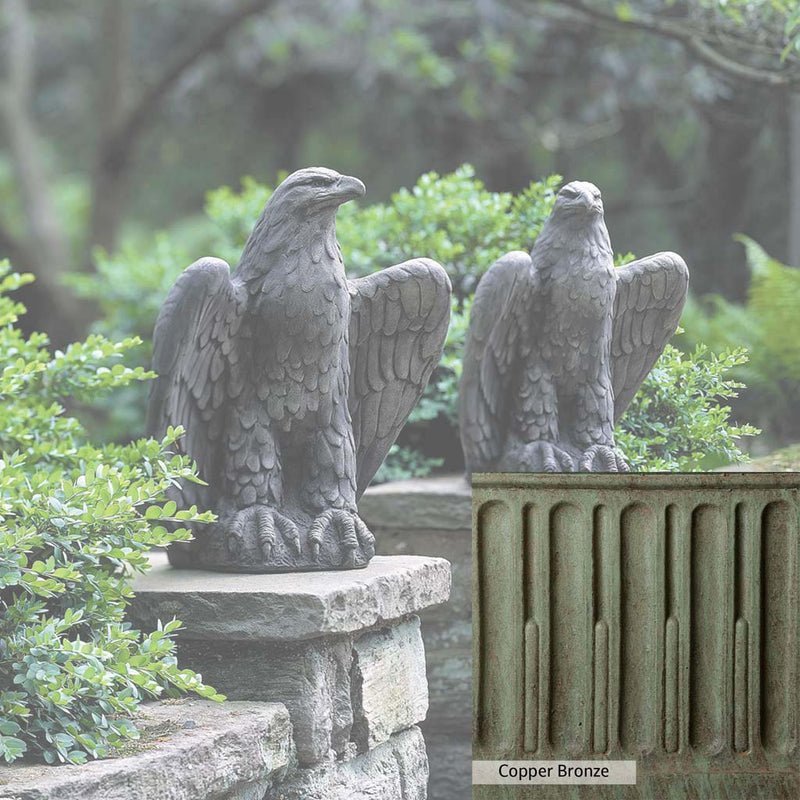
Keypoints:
(526, 773)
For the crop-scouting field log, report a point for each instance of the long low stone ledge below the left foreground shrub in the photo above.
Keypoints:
(208, 751)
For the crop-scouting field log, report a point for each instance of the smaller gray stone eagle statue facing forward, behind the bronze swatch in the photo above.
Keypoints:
(559, 342)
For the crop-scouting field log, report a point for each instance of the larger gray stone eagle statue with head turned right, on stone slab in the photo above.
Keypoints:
(292, 383)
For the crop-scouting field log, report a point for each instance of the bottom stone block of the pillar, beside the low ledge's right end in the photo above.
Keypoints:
(395, 770)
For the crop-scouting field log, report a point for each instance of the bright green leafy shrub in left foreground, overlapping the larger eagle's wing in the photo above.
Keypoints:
(75, 521)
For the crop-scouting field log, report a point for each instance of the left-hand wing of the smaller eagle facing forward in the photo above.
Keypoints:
(489, 356)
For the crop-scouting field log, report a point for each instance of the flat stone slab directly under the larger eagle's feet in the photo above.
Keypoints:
(291, 606)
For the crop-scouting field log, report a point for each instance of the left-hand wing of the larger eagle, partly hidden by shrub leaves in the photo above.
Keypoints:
(195, 356)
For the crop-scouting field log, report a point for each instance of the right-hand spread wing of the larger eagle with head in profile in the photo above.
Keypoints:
(398, 325)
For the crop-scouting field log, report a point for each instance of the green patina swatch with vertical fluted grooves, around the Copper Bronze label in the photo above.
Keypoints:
(652, 617)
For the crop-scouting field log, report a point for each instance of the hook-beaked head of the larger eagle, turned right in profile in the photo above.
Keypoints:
(315, 190)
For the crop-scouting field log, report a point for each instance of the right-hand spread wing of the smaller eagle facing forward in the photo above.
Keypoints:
(648, 305)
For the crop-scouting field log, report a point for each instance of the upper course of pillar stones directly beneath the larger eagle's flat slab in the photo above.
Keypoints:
(338, 689)
